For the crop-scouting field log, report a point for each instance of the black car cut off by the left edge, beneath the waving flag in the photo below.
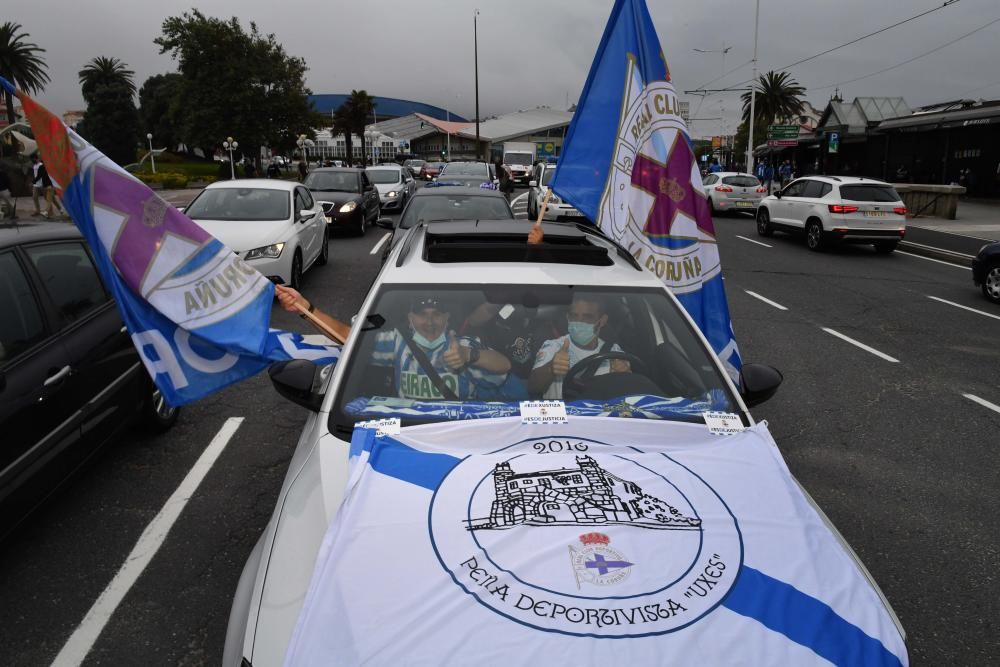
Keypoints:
(70, 377)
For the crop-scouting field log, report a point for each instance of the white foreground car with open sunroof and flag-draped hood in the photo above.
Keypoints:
(466, 268)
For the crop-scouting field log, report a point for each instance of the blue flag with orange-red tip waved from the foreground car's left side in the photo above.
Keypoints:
(197, 313)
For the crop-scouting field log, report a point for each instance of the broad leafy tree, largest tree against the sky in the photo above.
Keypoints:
(236, 83)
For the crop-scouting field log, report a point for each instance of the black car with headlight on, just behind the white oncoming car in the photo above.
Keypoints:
(349, 199)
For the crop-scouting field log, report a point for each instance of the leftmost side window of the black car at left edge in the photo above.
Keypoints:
(21, 325)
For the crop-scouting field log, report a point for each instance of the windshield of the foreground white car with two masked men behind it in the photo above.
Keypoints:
(652, 365)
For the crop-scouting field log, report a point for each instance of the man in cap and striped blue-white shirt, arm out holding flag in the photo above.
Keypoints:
(462, 365)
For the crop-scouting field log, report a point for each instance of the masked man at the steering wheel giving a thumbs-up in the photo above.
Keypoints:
(586, 318)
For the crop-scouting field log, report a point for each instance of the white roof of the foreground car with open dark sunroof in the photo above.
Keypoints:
(496, 251)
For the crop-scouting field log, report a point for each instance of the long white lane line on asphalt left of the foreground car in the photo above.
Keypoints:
(83, 638)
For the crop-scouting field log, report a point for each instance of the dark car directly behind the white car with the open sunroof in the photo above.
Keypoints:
(449, 202)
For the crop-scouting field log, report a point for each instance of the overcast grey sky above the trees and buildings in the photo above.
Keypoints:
(538, 52)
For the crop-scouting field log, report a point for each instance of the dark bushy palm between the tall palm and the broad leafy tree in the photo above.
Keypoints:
(111, 122)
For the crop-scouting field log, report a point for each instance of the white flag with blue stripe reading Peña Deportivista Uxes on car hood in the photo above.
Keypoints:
(596, 542)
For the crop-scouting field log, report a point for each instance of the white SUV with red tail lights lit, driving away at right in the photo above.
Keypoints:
(836, 208)
